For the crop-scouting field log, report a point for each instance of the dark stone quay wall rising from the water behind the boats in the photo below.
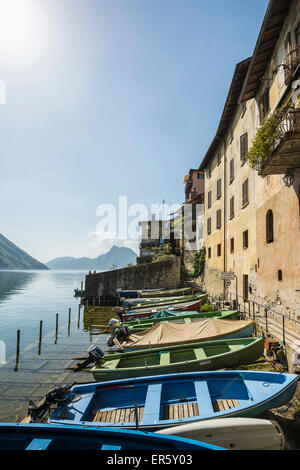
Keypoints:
(104, 285)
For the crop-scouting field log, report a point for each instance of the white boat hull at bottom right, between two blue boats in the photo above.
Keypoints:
(233, 433)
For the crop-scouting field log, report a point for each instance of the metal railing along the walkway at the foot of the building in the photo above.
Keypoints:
(257, 312)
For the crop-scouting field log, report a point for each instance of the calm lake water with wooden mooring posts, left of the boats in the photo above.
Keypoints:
(26, 297)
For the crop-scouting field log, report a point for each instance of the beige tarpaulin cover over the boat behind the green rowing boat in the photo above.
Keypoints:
(171, 333)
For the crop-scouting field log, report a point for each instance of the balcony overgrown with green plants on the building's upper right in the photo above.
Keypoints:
(282, 145)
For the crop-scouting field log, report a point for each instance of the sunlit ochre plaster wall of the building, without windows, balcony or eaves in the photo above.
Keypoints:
(260, 261)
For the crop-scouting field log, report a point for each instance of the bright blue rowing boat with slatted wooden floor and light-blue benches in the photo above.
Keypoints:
(162, 401)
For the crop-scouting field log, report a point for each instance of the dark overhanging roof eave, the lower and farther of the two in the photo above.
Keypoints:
(229, 108)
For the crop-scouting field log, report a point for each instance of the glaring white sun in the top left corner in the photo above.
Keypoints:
(23, 31)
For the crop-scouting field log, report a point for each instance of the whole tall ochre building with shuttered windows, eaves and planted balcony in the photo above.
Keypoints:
(252, 224)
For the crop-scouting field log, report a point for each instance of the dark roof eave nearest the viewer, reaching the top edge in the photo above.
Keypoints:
(271, 28)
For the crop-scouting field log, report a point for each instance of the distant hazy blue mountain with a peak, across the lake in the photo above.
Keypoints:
(119, 256)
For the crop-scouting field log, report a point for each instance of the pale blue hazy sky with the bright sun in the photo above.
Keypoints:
(107, 98)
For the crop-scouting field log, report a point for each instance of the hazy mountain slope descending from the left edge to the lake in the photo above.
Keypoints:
(12, 257)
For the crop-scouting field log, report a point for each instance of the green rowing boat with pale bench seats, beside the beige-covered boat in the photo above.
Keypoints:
(202, 356)
